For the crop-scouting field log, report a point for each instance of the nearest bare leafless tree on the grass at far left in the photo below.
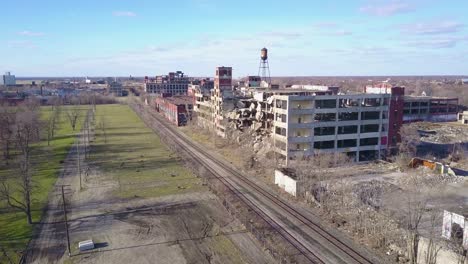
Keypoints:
(26, 132)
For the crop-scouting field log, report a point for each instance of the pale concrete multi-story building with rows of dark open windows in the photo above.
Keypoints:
(355, 124)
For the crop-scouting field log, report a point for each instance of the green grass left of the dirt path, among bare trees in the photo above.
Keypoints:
(46, 162)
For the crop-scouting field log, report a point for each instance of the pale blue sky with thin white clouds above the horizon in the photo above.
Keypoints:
(304, 37)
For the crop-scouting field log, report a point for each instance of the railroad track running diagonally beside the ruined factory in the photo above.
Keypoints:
(303, 230)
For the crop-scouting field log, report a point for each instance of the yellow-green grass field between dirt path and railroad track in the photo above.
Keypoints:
(135, 156)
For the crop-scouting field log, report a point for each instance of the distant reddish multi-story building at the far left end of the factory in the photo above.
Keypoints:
(175, 83)
